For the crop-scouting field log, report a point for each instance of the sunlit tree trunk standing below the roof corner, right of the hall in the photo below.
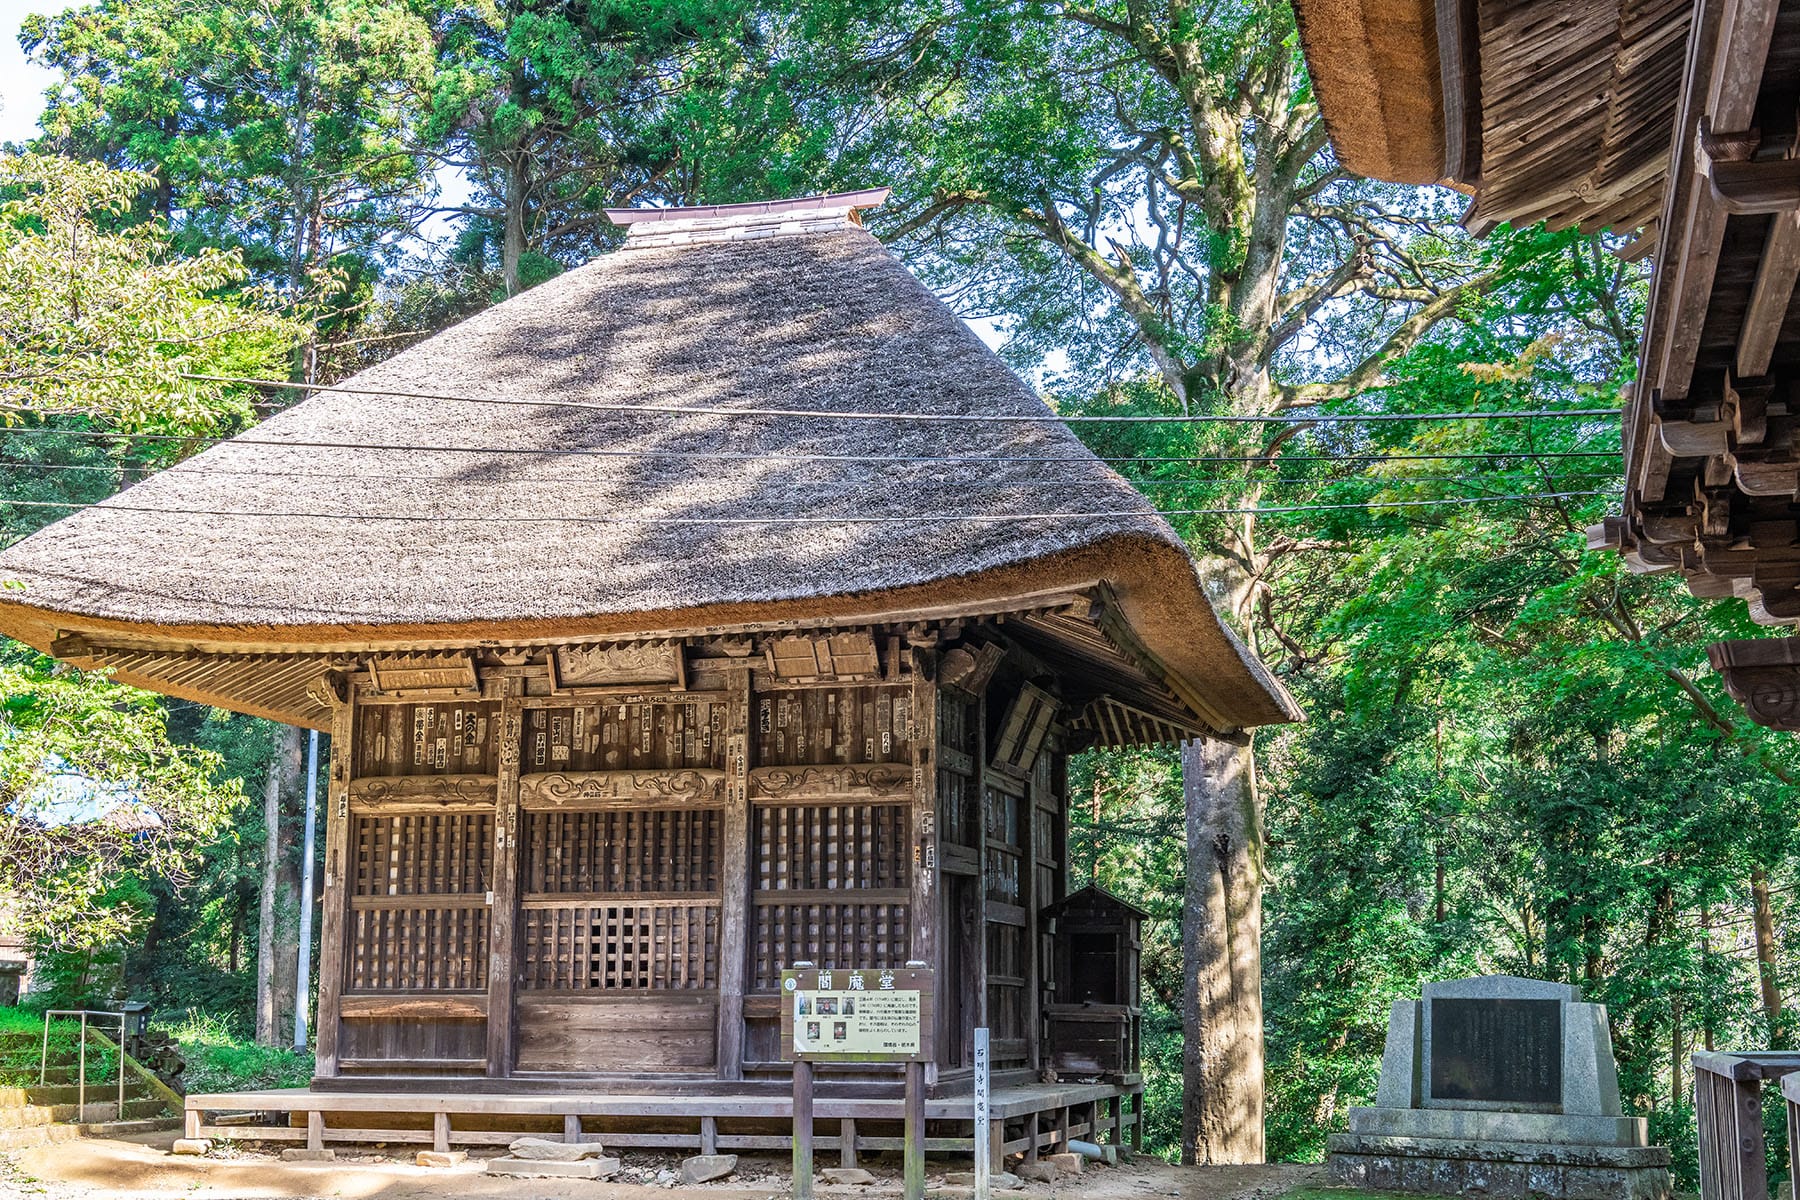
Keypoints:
(1221, 949)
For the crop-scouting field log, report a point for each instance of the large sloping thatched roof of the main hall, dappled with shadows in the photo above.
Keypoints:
(366, 519)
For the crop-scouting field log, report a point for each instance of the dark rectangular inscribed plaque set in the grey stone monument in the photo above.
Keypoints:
(1497, 1052)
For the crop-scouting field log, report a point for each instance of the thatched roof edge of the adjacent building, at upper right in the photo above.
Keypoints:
(1545, 111)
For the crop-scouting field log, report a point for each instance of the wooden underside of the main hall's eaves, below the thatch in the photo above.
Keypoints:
(1119, 695)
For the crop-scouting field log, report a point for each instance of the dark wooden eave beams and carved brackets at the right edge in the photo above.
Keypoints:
(1713, 472)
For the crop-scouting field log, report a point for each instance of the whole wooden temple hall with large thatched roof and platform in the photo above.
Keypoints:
(717, 605)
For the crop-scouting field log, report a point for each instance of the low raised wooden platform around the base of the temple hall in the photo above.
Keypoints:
(1025, 1120)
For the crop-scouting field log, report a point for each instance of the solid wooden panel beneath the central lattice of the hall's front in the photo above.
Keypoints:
(638, 1034)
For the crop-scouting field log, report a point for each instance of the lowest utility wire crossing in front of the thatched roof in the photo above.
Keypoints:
(928, 519)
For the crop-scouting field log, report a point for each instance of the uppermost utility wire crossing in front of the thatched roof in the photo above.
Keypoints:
(928, 418)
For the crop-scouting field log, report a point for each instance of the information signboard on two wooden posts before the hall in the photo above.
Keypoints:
(872, 1016)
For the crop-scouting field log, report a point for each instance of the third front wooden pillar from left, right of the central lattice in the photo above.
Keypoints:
(735, 881)
